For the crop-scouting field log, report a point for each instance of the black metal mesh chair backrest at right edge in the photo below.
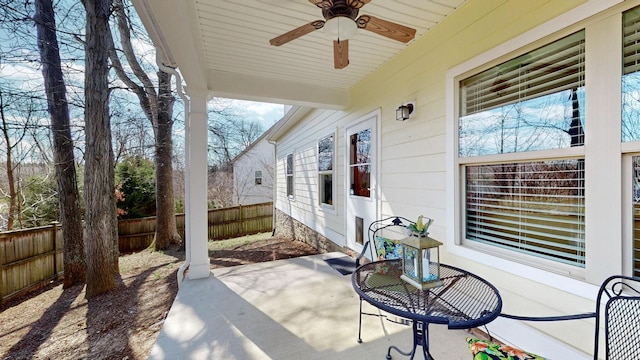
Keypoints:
(618, 305)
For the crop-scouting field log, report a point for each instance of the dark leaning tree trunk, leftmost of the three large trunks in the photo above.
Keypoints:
(75, 266)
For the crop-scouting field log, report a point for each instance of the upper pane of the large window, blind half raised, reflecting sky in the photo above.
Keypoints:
(532, 102)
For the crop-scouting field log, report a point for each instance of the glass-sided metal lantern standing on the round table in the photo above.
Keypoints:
(421, 262)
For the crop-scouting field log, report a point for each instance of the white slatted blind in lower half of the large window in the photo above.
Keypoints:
(536, 208)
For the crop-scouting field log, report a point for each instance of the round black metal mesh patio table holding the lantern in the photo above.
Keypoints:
(463, 301)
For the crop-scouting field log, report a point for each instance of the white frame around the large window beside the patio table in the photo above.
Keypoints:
(602, 51)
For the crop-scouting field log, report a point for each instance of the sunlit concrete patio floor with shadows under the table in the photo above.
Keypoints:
(297, 308)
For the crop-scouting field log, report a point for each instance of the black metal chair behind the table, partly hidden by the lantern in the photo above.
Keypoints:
(383, 244)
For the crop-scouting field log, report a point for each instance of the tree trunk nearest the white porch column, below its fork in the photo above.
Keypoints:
(166, 230)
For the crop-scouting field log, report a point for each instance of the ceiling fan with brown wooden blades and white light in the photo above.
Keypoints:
(341, 22)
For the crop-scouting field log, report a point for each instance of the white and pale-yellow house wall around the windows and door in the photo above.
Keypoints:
(417, 170)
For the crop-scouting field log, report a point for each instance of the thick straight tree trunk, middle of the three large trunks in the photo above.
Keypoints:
(99, 189)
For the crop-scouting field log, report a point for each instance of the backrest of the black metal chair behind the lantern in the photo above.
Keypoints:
(384, 236)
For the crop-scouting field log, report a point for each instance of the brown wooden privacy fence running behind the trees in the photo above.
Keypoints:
(32, 257)
